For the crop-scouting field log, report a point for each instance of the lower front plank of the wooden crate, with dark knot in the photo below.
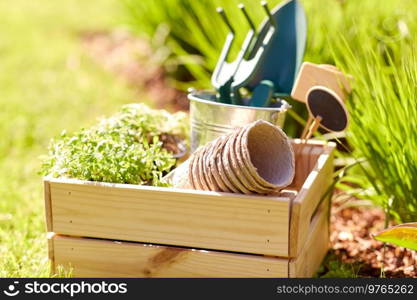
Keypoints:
(101, 258)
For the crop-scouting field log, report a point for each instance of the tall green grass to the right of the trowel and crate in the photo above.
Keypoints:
(380, 51)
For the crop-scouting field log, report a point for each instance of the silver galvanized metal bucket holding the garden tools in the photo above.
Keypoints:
(211, 119)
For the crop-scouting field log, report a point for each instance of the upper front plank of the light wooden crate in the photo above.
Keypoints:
(270, 243)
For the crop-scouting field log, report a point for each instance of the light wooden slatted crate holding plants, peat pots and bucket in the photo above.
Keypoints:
(194, 233)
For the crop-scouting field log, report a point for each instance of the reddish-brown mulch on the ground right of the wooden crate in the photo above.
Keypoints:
(352, 243)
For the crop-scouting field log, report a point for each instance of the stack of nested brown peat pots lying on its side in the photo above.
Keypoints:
(253, 159)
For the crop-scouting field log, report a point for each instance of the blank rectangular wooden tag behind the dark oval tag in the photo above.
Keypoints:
(320, 75)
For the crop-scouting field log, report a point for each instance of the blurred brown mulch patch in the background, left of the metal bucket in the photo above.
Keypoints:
(135, 61)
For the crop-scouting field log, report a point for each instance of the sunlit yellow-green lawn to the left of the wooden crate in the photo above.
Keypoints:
(47, 84)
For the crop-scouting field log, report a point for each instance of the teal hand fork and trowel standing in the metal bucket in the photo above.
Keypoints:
(268, 60)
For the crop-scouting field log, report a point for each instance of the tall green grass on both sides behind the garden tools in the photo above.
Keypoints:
(374, 42)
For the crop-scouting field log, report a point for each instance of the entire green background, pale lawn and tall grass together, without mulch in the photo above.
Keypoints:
(49, 82)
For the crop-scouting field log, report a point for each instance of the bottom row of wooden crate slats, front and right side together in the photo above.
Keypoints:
(87, 257)
